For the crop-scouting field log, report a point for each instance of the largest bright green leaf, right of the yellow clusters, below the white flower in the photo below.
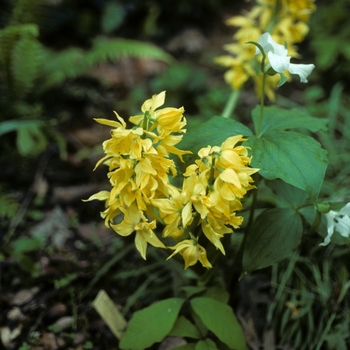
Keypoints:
(293, 157)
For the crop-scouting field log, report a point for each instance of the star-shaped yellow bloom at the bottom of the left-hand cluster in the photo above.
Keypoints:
(134, 221)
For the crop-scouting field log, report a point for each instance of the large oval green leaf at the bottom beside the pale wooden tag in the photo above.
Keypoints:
(151, 324)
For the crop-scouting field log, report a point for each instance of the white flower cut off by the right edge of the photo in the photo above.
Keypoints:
(338, 221)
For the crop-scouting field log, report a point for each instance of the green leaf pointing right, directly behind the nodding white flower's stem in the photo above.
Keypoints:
(275, 118)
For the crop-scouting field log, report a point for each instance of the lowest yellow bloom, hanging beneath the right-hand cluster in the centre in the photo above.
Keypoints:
(191, 251)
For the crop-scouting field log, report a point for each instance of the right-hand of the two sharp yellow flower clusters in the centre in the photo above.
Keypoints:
(210, 196)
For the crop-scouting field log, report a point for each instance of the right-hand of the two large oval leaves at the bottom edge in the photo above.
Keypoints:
(219, 318)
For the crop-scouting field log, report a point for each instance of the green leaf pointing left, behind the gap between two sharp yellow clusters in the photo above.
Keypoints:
(212, 132)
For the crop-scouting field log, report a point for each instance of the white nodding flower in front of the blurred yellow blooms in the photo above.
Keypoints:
(279, 59)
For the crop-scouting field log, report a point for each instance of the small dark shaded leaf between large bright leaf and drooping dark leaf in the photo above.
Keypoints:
(287, 195)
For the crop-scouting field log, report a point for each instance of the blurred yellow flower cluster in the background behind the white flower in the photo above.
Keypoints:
(285, 20)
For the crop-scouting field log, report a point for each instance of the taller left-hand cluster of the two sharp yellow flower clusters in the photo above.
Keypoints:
(139, 165)
